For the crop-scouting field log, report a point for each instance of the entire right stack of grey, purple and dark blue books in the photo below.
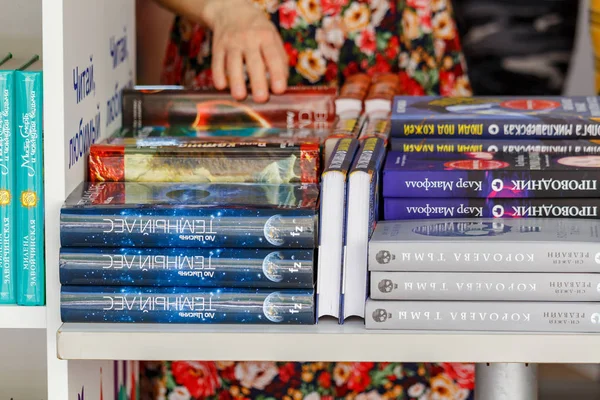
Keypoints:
(498, 240)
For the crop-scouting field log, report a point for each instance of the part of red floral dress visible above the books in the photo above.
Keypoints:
(327, 40)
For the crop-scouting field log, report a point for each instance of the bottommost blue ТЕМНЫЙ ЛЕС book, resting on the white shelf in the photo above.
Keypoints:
(186, 305)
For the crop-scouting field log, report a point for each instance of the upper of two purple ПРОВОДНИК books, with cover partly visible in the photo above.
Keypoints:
(491, 175)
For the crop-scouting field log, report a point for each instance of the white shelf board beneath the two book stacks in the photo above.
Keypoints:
(324, 342)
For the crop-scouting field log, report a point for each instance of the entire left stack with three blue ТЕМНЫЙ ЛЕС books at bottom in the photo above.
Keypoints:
(199, 210)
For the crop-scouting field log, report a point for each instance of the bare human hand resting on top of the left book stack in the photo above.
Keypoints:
(244, 37)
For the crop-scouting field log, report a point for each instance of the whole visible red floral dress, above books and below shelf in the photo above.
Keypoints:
(326, 41)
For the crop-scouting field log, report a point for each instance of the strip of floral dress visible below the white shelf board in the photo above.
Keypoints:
(195, 380)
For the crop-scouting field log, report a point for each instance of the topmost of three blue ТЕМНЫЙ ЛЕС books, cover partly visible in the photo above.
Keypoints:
(190, 215)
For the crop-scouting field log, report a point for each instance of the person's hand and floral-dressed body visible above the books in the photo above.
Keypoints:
(306, 42)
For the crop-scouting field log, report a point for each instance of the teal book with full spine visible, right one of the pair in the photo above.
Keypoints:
(30, 189)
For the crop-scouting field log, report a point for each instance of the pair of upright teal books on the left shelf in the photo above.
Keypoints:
(21, 182)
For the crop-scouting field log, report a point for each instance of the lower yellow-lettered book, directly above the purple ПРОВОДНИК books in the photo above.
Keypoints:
(550, 146)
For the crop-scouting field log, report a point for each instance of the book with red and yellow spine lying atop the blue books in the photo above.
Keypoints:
(205, 162)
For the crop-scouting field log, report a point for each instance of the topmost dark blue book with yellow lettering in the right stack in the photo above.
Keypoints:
(501, 117)
